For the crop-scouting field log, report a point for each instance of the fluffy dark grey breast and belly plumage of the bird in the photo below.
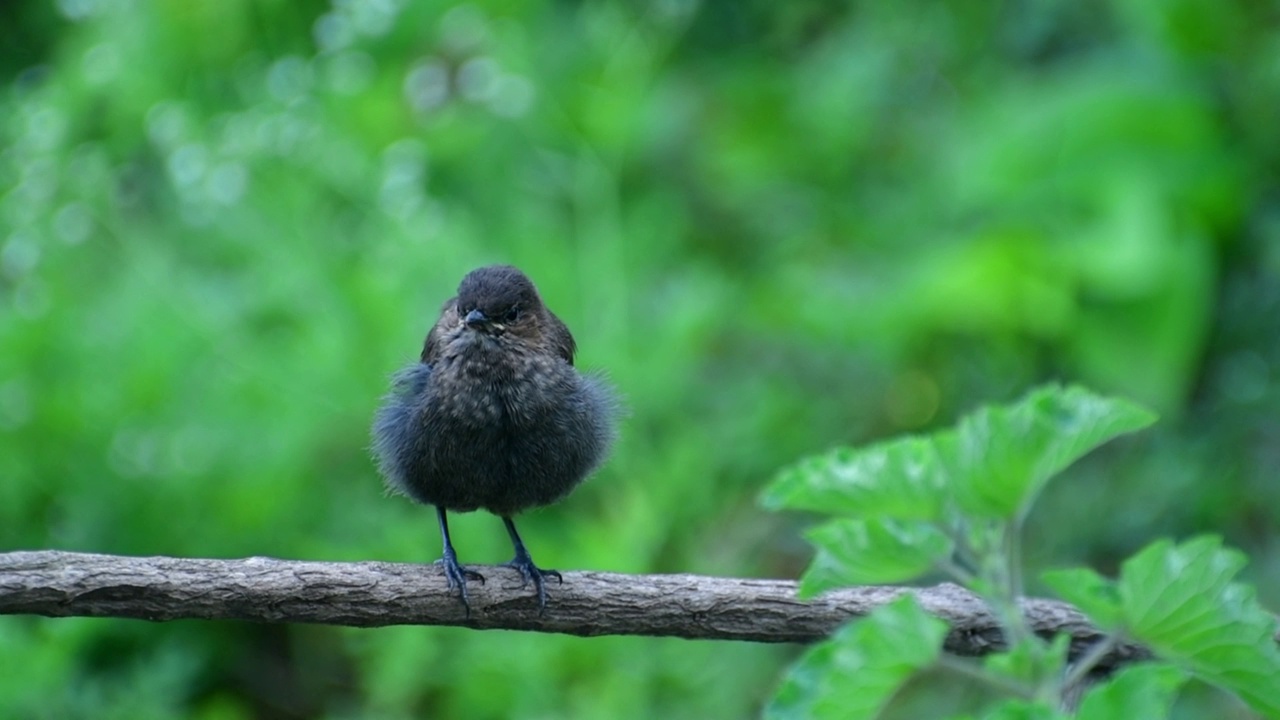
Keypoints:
(470, 441)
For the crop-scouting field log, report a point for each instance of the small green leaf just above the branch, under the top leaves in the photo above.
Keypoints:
(853, 553)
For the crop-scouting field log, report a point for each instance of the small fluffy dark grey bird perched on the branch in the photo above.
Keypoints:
(495, 416)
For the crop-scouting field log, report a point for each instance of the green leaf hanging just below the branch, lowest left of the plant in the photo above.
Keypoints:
(854, 675)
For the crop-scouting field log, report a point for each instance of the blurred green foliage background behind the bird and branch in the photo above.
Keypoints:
(779, 227)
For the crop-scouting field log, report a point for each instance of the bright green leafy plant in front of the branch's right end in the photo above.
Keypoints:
(954, 503)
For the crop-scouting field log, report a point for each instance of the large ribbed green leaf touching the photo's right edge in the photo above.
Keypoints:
(1181, 601)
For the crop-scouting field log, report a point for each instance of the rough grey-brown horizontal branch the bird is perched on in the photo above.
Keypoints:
(367, 595)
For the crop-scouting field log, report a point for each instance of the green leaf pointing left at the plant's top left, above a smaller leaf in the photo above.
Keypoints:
(902, 479)
